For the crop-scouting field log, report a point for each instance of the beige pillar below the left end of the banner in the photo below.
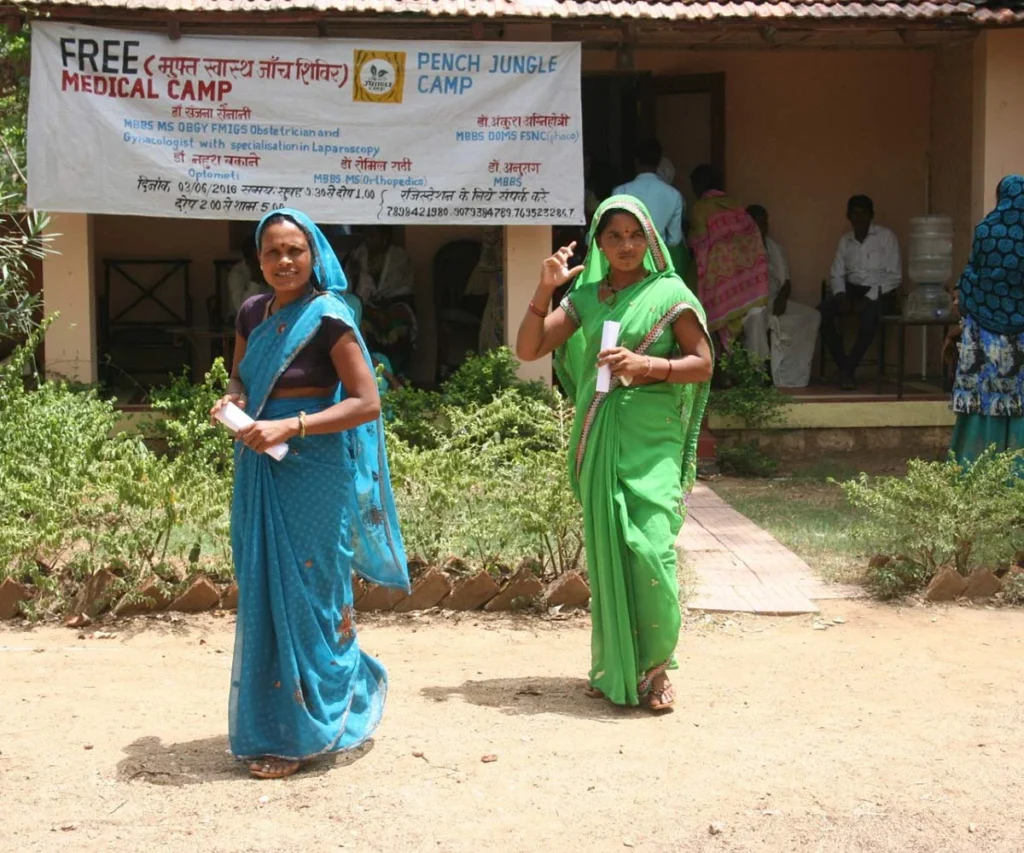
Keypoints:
(69, 289)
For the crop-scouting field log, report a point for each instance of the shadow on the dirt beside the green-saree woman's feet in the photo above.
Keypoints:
(534, 696)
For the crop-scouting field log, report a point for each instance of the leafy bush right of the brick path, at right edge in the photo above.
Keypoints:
(943, 514)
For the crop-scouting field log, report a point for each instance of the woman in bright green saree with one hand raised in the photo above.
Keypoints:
(633, 451)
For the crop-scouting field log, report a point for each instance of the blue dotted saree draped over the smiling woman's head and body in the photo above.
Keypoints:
(301, 685)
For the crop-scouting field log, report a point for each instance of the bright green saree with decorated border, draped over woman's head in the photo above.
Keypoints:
(632, 459)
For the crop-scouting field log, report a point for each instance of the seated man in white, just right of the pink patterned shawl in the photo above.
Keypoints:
(793, 328)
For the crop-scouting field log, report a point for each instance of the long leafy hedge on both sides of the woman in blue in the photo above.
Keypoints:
(480, 474)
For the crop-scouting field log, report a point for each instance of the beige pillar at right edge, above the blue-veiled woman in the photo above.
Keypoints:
(999, 114)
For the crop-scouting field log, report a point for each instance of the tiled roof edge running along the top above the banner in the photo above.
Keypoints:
(1007, 13)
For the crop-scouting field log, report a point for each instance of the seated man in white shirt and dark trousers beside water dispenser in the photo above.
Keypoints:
(865, 279)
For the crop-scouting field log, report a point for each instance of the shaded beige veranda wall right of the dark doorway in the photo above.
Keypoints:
(806, 130)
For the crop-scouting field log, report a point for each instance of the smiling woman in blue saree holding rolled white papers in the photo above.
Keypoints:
(302, 688)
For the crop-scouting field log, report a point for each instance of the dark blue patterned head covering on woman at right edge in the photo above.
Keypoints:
(992, 289)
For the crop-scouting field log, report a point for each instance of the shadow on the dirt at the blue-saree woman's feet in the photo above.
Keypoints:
(207, 760)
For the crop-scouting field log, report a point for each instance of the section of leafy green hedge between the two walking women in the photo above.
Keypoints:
(492, 489)
